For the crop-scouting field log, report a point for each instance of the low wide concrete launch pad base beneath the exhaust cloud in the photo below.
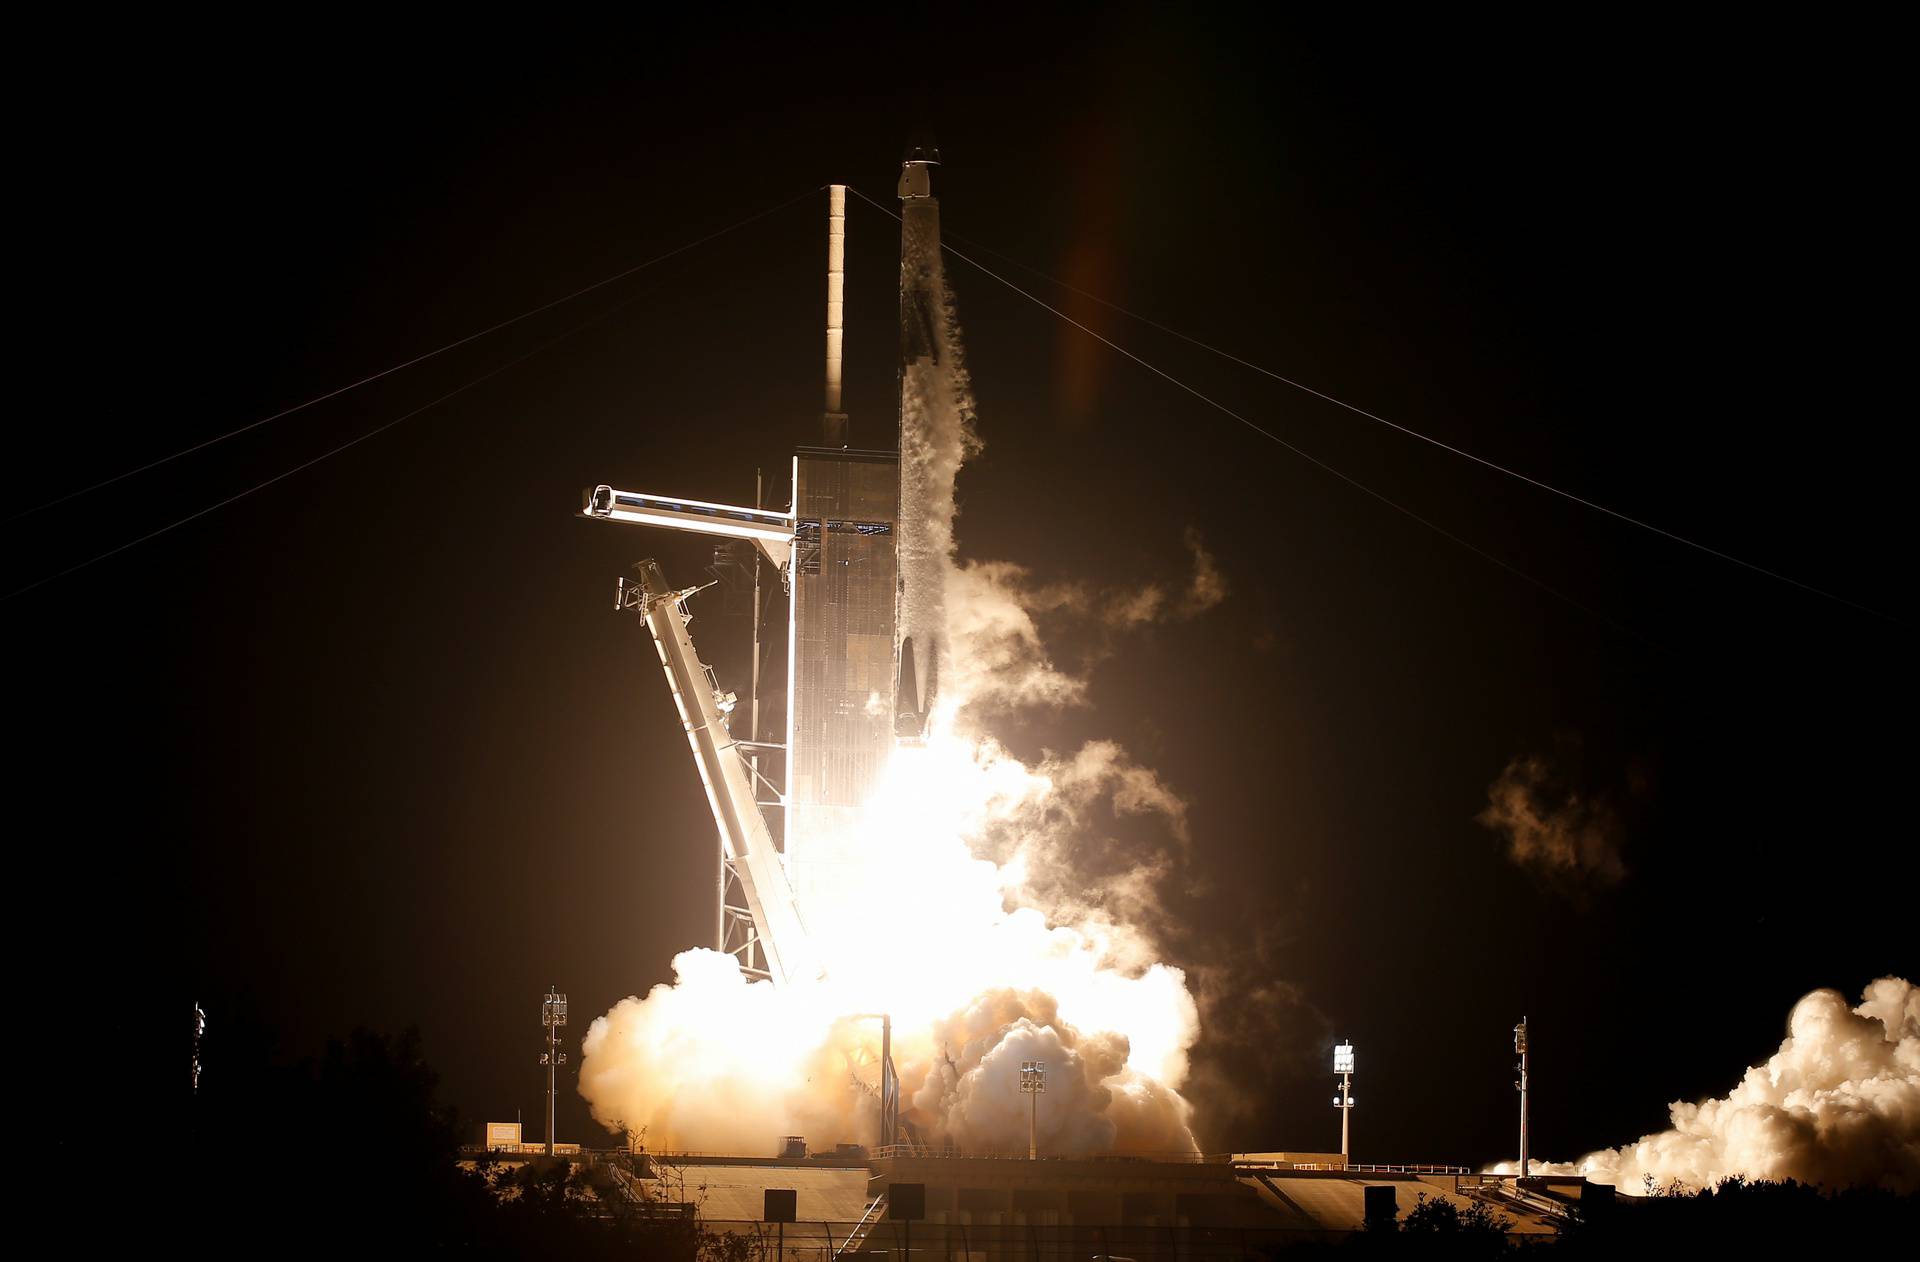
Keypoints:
(984, 1209)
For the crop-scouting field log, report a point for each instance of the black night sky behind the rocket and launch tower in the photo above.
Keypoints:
(373, 748)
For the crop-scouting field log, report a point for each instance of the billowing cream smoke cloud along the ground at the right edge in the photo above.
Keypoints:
(1838, 1105)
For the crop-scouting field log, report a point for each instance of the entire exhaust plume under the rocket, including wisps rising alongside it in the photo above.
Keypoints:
(951, 917)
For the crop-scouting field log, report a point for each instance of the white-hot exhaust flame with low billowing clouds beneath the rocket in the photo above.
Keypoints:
(974, 984)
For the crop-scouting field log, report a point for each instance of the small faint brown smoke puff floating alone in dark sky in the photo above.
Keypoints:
(1552, 829)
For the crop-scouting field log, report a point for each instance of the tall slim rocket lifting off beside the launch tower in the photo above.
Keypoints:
(930, 454)
